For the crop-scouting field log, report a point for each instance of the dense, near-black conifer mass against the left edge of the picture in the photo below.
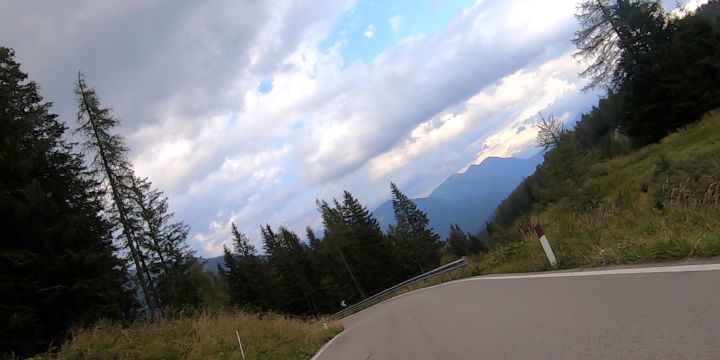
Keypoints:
(58, 269)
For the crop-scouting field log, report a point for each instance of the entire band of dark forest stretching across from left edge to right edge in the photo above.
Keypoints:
(86, 239)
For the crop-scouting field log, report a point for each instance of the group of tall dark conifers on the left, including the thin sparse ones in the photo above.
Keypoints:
(83, 237)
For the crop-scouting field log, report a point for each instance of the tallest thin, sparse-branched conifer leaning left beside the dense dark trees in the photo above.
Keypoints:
(110, 163)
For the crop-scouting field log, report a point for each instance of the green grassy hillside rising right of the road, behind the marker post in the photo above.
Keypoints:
(659, 203)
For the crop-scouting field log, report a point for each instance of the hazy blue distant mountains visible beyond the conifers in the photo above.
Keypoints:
(468, 199)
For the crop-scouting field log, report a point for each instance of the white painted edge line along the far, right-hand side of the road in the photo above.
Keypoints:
(642, 270)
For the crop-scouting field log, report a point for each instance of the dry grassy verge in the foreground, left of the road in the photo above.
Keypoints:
(207, 336)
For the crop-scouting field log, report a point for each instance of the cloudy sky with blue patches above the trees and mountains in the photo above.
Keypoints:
(247, 111)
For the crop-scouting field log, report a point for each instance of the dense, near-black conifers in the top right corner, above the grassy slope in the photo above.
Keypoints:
(675, 82)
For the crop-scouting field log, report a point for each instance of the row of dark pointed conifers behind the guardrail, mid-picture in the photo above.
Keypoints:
(354, 259)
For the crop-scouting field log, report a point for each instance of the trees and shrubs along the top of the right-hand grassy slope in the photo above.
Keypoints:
(660, 74)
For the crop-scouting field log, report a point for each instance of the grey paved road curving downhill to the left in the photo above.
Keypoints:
(652, 316)
